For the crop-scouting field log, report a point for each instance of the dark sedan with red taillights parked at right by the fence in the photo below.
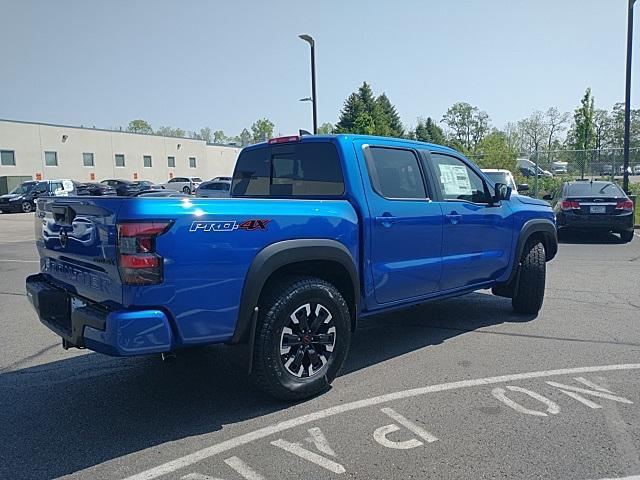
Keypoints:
(594, 206)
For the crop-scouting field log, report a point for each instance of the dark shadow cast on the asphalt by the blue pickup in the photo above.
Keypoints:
(69, 415)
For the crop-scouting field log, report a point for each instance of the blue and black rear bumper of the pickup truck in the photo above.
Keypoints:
(82, 324)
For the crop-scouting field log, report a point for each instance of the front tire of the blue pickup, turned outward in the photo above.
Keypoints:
(530, 289)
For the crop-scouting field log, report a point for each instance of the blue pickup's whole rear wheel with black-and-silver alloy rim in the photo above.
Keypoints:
(287, 372)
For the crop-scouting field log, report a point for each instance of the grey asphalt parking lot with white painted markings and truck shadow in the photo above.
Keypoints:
(461, 388)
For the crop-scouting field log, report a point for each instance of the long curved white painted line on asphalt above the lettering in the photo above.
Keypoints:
(264, 432)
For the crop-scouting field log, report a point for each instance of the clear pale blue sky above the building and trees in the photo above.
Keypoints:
(224, 64)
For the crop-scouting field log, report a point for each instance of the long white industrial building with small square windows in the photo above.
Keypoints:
(43, 151)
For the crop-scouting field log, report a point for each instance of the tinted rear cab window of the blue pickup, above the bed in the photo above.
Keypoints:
(299, 169)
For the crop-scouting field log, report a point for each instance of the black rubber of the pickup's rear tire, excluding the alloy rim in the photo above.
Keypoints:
(278, 315)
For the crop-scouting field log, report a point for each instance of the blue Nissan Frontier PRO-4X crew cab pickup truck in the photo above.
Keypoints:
(319, 232)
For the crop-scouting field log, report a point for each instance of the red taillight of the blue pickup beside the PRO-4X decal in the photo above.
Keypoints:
(138, 262)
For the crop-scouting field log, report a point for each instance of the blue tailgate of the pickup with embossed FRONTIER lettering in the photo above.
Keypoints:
(76, 240)
